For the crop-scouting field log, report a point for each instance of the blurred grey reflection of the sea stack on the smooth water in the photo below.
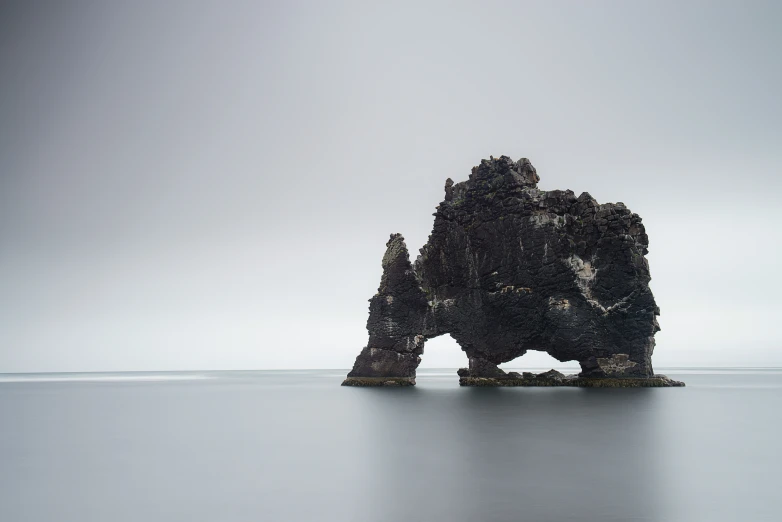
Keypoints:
(510, 454)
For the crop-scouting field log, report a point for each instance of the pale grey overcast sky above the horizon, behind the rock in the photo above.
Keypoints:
(210, 185)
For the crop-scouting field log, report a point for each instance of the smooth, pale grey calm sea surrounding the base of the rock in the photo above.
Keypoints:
(295, 446)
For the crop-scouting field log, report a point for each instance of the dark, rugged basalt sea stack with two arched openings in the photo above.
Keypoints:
(510, 268)
